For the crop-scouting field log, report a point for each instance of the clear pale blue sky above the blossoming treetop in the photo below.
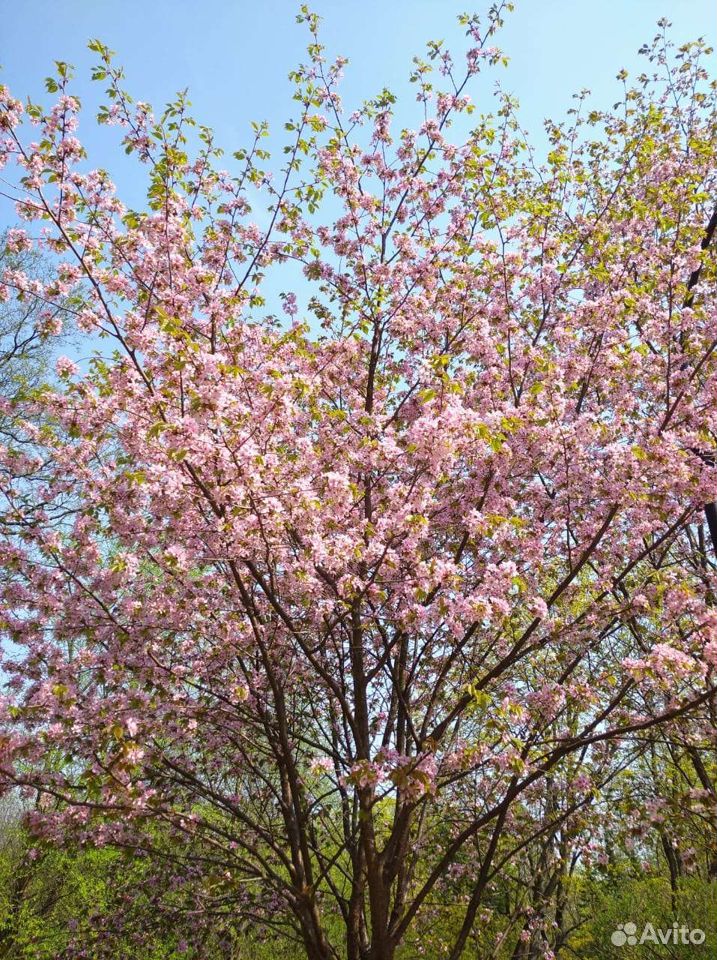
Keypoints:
(234, 55)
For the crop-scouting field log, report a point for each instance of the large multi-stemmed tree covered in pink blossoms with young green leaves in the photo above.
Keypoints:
(333, 606)
